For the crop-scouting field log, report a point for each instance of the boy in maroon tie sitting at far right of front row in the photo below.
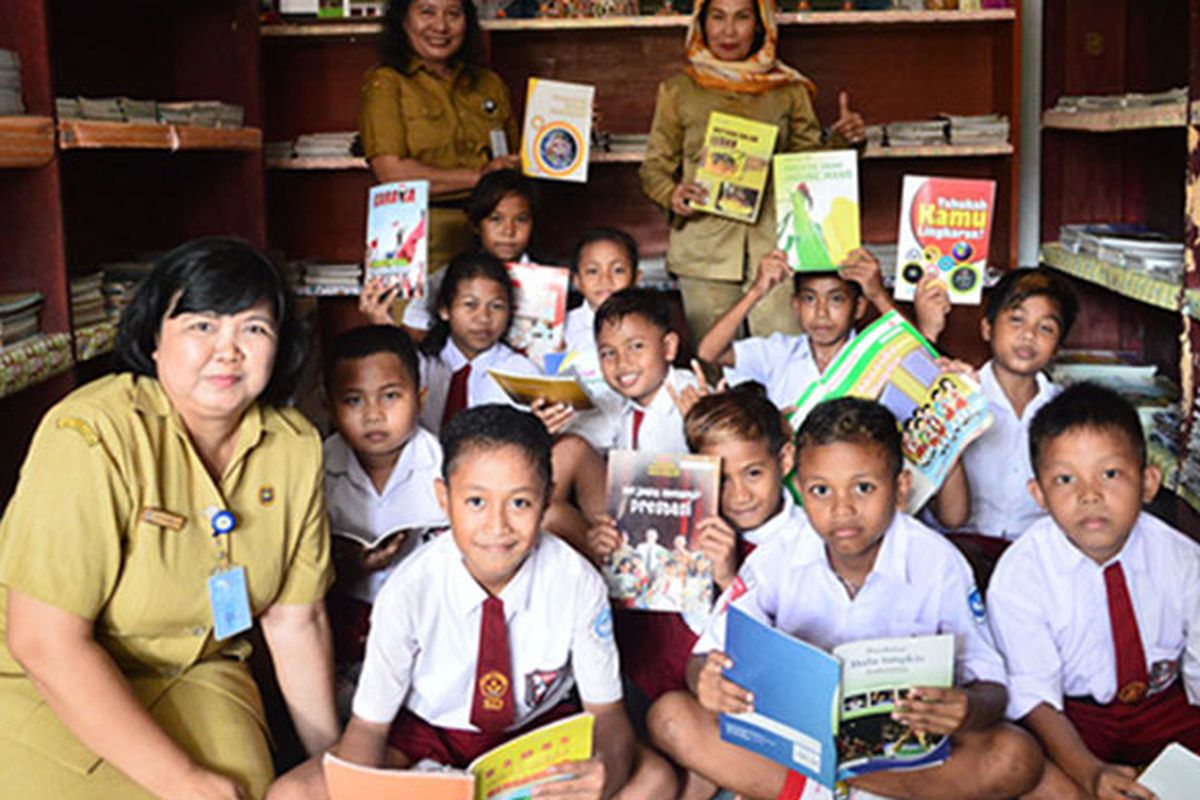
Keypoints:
(1097, 607)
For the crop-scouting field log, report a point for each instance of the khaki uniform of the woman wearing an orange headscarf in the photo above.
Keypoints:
(709, 246)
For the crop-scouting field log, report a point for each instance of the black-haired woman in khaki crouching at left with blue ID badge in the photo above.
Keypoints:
(118, 676)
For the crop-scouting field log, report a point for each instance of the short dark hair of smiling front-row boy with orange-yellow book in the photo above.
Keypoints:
(494, 426)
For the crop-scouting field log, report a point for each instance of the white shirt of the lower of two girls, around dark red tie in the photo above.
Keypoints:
(482, 388)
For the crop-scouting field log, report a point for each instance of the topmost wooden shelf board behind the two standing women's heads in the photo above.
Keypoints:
(838, 19)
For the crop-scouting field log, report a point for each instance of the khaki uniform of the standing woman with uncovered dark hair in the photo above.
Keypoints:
(415, 115)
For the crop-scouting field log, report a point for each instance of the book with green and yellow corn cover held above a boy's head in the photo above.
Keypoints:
(817, 208)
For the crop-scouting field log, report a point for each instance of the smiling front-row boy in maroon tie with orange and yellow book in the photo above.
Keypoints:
(485, 633)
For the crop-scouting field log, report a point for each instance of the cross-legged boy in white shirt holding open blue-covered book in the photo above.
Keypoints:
(860, 569)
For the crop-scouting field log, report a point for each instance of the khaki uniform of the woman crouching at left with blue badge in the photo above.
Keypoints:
(76, 537)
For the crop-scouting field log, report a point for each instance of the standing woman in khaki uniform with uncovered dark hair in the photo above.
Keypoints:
(431, 112)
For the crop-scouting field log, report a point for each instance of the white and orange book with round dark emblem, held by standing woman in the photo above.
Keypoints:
(557, 134)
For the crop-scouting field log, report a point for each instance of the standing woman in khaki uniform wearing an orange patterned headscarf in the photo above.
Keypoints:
(733, 69)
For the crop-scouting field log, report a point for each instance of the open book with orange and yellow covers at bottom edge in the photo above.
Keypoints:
(505, 773)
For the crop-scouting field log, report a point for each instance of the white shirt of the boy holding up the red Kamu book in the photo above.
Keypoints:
(998, 464)
